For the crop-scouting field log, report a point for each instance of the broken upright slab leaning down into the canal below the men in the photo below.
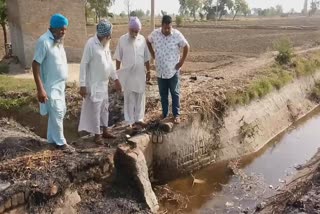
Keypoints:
(131, 163)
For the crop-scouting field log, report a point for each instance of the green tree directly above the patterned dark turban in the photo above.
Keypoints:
(100, 7)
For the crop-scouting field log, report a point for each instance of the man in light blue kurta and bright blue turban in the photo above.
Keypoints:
(50, 70)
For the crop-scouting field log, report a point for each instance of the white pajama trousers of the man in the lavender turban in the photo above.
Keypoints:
(134, 106)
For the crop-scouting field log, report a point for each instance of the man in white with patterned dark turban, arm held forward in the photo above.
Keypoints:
(95, 70)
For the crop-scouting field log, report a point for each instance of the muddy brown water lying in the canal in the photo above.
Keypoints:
(260, 174)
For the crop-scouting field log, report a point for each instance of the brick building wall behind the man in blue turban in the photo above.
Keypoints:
(31, 18)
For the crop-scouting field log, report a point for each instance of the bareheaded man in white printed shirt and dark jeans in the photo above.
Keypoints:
(164, 45)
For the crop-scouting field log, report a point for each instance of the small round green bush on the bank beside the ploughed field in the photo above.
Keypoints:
(285, 51)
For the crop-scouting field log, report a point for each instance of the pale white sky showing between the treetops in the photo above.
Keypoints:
(172, 6)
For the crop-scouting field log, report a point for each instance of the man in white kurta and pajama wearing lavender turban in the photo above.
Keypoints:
(132, 52)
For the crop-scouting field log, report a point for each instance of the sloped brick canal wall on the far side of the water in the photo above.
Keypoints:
(198, 143)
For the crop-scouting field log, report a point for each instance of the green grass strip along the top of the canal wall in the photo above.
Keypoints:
(276, 77)
